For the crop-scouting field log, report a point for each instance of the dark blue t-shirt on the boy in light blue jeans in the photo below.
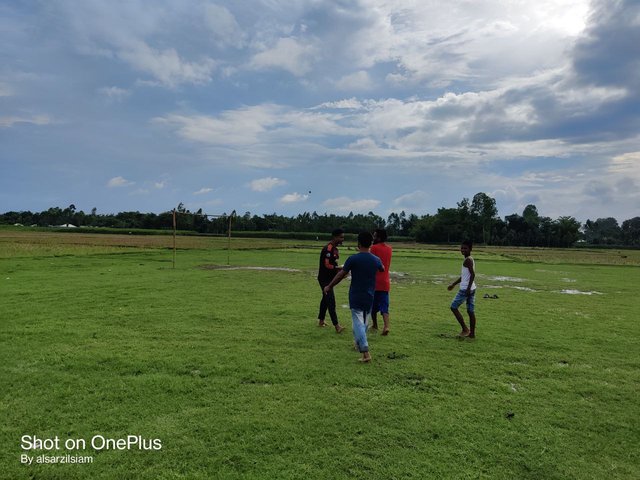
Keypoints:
(363, 267)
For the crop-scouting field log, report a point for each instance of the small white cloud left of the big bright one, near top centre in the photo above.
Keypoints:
(288, 54)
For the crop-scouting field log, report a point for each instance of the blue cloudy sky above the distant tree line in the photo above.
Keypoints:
(317, 105)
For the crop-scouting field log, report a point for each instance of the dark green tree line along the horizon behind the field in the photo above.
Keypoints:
(476, 219)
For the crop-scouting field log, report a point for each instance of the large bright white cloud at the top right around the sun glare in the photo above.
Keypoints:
(482, 41)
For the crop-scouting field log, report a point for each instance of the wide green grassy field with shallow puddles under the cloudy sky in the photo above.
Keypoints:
(223, 364)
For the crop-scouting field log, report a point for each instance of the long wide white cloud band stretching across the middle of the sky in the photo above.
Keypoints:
(526, 118)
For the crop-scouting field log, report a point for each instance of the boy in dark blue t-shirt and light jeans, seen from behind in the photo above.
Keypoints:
(363, 267)
